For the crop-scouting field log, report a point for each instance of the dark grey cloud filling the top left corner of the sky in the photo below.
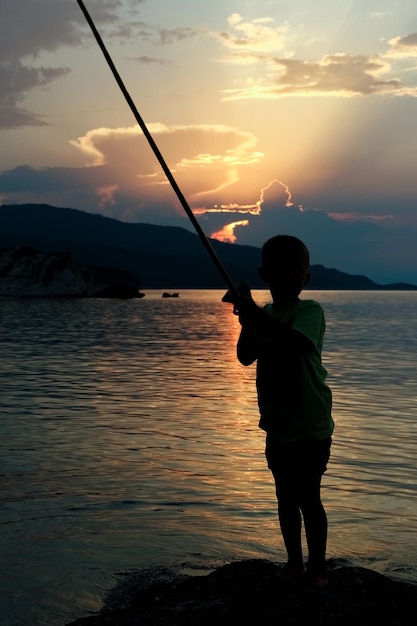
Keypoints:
(28, 30)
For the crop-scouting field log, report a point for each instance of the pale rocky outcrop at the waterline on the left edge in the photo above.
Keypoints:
(26, 272)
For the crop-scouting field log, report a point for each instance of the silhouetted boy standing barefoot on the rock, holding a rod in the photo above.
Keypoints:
(285, 338)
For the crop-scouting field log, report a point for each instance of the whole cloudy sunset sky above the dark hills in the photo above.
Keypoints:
(286, 116)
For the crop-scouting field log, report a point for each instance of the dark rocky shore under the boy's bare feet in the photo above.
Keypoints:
(253, 593)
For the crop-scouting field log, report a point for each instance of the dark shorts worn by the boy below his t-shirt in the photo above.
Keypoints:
(297, 458)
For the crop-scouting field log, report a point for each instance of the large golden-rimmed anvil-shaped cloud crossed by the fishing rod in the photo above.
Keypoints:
(207, 162)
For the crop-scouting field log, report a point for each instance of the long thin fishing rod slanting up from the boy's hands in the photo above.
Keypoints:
(224, 273)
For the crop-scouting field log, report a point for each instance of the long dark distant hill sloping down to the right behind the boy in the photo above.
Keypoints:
(157, 256)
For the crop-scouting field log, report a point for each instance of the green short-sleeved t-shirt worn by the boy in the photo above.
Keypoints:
(294, 399)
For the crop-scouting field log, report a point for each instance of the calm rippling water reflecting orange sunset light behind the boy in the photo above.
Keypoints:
(129, 439)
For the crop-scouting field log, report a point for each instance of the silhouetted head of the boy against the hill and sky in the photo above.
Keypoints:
(285, 263)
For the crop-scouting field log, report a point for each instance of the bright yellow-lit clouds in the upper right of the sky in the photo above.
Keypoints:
(343, 75)
